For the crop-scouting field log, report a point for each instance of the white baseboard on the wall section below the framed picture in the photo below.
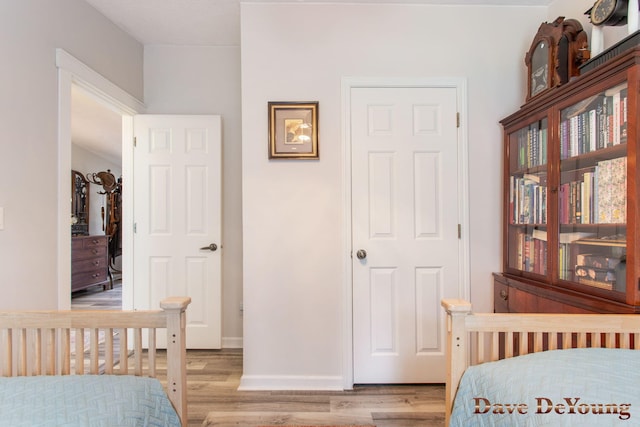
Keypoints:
(290, 382)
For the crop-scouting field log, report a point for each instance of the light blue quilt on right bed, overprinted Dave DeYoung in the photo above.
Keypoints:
(575, 387)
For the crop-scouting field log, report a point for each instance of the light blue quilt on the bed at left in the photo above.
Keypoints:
(84, 400)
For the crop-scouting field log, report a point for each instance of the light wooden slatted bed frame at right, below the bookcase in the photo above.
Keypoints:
(474, 338)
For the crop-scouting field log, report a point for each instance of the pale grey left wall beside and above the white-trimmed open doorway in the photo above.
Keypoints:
(31, 30)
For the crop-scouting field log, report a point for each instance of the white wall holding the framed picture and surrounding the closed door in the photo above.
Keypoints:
(293, 230)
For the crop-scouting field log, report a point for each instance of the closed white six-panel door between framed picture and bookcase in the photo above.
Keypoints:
(405, 217)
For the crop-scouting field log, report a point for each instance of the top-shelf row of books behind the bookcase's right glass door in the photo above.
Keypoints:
(597, 122)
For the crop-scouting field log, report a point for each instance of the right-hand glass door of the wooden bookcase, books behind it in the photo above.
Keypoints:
(592, 192)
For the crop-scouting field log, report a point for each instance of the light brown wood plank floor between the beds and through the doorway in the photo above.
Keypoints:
(214, 400)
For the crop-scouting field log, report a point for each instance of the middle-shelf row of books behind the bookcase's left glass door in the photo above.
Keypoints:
(528, 199)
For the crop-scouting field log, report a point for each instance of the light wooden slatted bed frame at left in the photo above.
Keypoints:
(39, 343)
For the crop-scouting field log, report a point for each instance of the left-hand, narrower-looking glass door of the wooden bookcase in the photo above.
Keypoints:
(527, 205)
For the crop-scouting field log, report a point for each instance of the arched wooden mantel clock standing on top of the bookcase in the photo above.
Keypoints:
(556, 52)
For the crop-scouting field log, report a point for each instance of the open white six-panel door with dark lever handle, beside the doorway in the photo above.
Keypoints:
(177, 216)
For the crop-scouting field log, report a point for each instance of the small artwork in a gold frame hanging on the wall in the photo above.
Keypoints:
(293, 130)
